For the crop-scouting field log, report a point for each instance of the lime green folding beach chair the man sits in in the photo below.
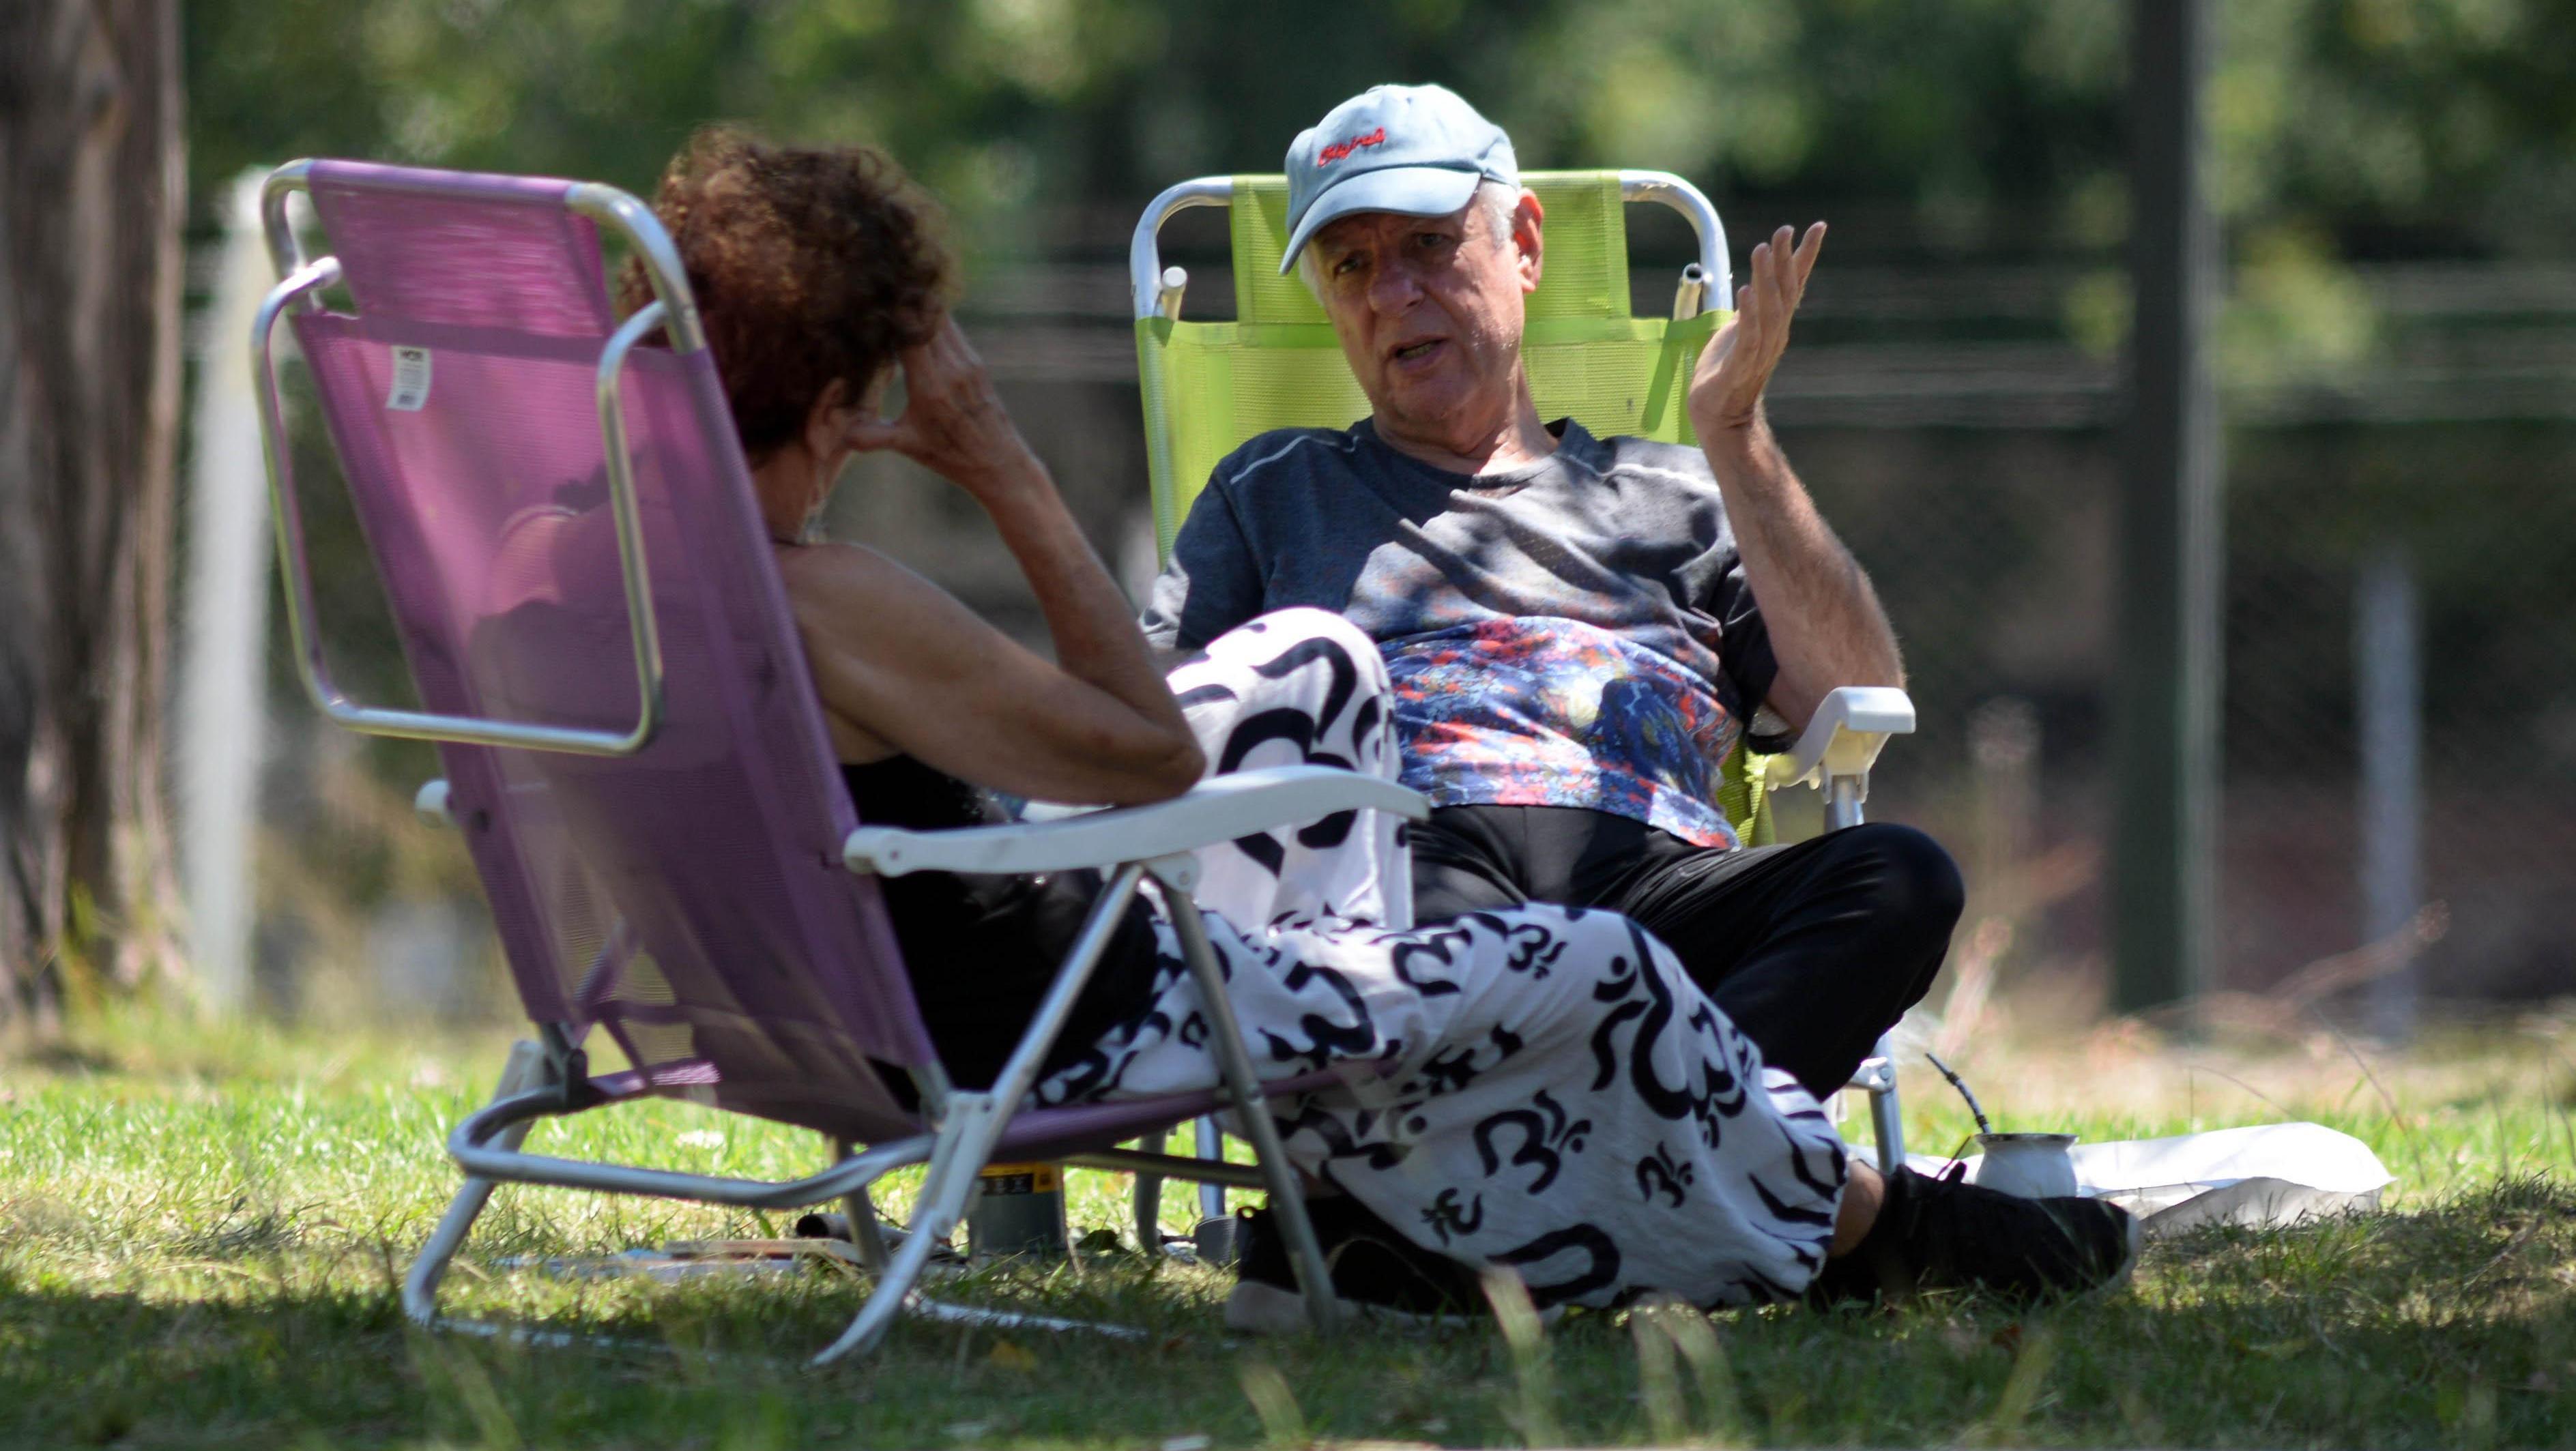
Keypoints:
(1215, 385)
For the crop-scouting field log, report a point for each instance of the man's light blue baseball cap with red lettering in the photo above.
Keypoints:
(1416, 151)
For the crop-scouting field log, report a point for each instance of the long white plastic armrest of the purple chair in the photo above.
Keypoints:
(1215, 811)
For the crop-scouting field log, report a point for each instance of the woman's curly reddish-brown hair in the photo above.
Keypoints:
(808, 267)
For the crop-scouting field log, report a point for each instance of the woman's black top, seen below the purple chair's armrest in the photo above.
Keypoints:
(983, 950)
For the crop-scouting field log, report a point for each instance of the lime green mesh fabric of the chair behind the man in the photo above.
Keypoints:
(1215, 385)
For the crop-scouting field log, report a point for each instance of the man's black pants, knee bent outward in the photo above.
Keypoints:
(1812, 950)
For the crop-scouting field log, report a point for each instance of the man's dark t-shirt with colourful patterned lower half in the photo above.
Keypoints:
(1573, 633)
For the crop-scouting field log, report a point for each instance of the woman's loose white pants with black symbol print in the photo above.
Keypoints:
(1537, 1089)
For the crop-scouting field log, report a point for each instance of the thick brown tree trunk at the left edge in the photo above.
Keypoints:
(91, 207)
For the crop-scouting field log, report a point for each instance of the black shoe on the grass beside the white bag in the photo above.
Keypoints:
(1944, 1233)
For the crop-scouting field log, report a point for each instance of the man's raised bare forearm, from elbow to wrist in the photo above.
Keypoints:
(1825, 622)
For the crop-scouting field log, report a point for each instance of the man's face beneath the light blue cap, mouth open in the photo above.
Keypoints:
(1428, 313)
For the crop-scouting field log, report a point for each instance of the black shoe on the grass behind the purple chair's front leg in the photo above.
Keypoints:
(1377, 1272)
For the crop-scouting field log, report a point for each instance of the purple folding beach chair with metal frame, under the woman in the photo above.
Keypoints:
(635, 754)
